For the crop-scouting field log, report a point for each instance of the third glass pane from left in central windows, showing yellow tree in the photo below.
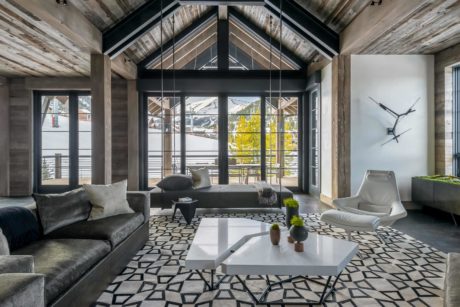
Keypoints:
(244, 139)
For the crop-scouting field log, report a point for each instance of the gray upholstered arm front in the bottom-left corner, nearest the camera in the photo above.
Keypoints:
(22, 290)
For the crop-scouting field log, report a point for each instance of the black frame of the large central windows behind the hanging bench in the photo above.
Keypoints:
(223, 133)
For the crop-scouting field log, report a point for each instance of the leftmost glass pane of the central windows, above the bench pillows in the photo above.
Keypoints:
(163, 122)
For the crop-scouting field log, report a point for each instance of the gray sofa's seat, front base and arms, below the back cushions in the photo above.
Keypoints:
(71, 266)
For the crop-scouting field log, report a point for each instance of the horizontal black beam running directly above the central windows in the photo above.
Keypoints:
(227, 81)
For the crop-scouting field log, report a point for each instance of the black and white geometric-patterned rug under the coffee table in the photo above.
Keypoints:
(404, 272)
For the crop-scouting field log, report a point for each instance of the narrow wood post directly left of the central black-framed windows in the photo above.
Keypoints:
(133, 136)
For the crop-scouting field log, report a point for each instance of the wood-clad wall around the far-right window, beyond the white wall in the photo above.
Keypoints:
(444, 61)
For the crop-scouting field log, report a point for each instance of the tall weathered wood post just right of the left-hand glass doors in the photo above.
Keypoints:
(101, 119)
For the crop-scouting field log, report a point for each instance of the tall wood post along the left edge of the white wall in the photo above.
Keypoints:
(341, 75)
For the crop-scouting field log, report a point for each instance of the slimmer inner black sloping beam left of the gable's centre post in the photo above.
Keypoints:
(185, 35)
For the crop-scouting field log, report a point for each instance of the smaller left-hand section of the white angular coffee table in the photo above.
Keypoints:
(216, 239)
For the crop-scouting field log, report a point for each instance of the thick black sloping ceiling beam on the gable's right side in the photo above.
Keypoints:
(299, 20)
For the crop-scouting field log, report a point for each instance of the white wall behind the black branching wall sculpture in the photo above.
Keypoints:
(396, 81)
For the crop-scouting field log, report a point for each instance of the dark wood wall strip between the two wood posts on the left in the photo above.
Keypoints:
(119, 130)
